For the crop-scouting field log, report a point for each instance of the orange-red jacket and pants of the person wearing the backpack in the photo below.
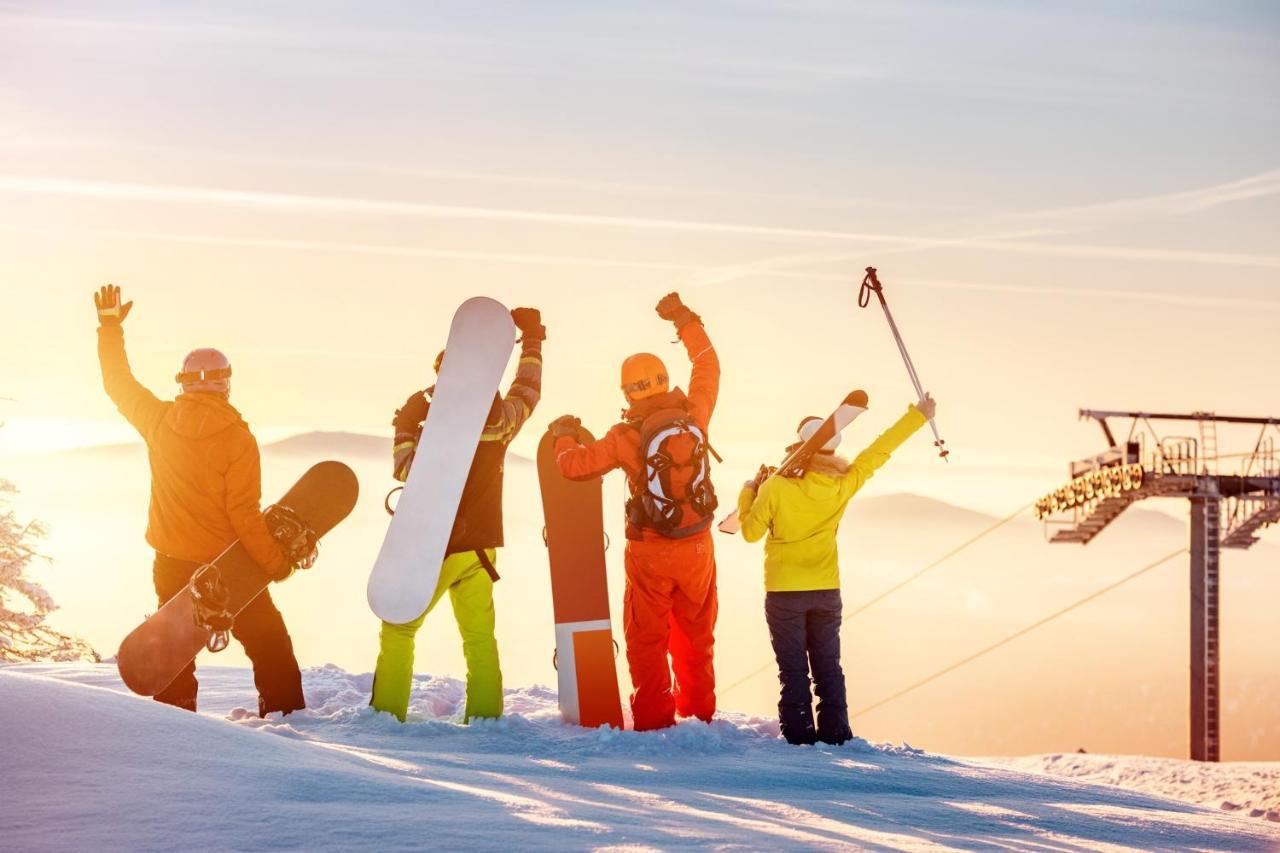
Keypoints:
(670, 604)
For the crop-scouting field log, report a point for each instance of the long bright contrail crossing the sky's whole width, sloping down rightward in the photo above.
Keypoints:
(339, 204)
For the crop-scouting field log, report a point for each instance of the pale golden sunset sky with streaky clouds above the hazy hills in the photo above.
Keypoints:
(1071, 206)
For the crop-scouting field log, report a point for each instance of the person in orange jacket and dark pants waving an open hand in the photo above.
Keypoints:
(205, 495)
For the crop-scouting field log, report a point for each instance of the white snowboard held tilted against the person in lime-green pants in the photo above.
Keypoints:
(409, 565)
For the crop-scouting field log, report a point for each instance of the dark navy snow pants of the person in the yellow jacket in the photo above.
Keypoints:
(804, 628)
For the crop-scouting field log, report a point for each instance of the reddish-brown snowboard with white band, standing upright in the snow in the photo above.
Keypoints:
(586, 669)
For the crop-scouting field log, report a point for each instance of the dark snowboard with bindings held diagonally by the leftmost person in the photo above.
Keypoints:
(203, 615)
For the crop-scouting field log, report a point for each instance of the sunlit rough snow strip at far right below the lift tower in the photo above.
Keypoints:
(1246, 787)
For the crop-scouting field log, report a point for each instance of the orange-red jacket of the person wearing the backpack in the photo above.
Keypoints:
(620, 448)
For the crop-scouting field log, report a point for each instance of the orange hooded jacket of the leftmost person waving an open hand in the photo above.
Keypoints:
(207, 482)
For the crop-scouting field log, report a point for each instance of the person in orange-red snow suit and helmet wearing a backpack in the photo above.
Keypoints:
(670, 604)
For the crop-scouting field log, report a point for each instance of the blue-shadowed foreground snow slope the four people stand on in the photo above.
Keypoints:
(86, 767)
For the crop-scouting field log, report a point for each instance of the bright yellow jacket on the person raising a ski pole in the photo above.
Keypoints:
(802, 516)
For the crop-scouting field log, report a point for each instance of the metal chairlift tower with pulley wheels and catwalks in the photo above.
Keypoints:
(1228, 510)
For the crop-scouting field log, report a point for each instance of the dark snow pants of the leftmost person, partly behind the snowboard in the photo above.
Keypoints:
(259, 628)
